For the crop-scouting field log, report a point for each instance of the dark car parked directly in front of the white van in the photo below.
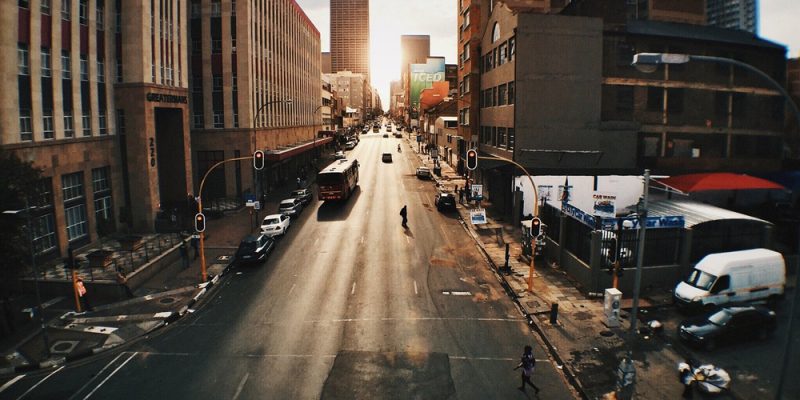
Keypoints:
(728, 324)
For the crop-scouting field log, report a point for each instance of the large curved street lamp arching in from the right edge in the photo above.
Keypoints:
(649, 62)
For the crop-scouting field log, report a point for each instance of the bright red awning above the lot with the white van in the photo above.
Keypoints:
(717, 181)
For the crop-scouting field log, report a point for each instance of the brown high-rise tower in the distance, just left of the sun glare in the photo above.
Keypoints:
(350, 36)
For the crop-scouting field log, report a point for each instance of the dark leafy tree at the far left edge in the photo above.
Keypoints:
(19, 179)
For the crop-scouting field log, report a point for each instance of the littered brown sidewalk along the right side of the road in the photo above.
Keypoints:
(579, 341)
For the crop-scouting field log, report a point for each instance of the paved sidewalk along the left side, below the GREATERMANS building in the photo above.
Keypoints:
(162, 298)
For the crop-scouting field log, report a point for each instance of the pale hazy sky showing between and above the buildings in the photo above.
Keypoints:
(391, 18)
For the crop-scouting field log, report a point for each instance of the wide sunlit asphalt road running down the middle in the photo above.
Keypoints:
(349, 306)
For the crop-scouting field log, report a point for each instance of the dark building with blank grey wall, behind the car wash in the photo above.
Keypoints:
(588, 112)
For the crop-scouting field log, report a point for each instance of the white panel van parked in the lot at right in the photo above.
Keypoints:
(733, 277)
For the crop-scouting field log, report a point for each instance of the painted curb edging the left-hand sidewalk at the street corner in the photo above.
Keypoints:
(172, 317)
